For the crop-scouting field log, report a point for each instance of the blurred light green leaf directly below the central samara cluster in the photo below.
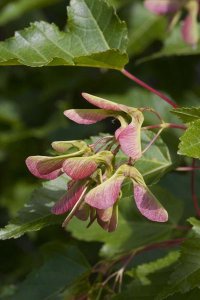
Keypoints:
(127, 236)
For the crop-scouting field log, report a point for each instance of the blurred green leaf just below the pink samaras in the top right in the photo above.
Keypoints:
(174, 46)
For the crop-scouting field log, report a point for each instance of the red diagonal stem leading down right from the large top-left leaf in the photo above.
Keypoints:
(149, 88)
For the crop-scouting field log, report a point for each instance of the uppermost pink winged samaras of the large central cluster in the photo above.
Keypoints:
(127, 135)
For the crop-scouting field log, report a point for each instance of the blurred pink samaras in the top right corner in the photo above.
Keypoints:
(173, 8)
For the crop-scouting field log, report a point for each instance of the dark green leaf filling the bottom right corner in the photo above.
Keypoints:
(187, 273)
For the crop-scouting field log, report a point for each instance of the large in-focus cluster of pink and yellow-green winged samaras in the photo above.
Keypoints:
(95, 186)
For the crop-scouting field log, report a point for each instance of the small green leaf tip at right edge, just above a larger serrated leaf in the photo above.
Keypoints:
(187, 114)
